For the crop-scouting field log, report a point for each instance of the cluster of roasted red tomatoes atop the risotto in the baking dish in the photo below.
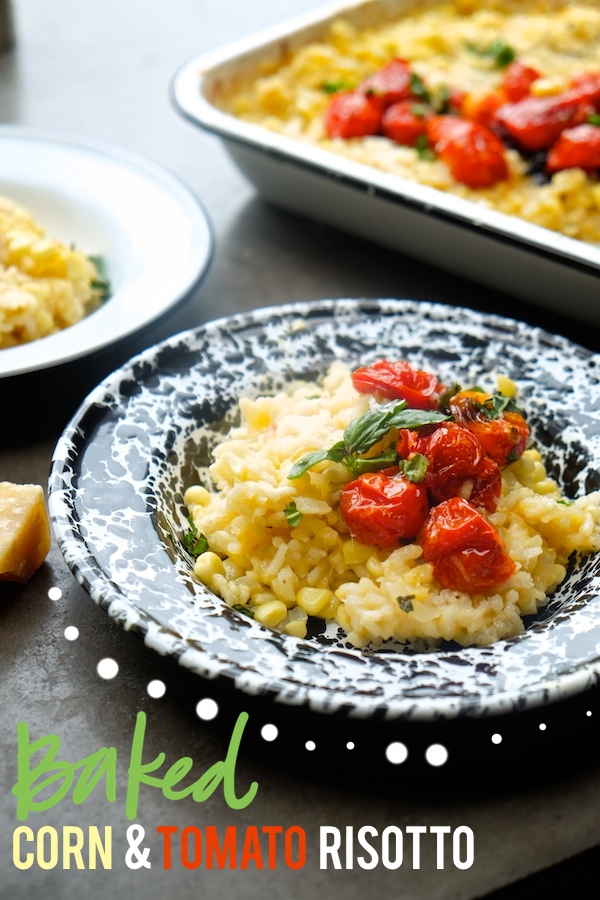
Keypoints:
(471, 134)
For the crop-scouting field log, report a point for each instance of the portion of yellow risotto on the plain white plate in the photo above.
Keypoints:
(45, 286)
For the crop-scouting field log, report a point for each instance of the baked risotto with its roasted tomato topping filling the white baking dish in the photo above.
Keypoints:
(498, 102)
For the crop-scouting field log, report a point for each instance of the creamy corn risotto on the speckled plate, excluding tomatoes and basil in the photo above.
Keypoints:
(279, 570)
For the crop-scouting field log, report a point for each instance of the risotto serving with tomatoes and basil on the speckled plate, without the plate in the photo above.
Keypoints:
(401, 507)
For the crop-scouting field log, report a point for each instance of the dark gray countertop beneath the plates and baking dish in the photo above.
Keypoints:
(102, 70)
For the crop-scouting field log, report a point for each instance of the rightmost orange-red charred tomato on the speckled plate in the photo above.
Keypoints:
(503, 435)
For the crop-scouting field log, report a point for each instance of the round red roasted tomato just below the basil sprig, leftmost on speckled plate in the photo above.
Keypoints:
(384, 508)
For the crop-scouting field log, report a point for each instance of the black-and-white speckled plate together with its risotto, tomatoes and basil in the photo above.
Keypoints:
(209, 495)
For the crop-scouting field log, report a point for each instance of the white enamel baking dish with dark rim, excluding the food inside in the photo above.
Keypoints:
(490, 247)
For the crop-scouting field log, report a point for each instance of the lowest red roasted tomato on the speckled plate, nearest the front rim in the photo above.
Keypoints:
(465, 549)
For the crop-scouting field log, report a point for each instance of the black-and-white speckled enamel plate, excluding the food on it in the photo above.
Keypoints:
(145, 434)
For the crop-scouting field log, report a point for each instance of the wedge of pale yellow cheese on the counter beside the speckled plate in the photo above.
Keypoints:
(24, 530)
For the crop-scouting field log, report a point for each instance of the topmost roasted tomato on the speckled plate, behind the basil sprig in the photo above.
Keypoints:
(399, 381)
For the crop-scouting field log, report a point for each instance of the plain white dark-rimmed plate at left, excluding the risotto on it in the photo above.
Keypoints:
(147, 226)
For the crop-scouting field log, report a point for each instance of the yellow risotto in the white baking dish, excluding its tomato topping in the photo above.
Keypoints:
(559, 40)
